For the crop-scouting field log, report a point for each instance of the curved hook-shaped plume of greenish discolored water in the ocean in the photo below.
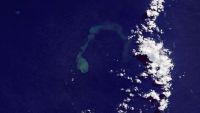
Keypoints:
(82, 63)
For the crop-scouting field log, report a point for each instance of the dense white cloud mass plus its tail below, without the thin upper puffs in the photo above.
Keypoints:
(158, 68)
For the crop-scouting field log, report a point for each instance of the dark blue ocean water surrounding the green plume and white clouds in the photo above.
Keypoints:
(39, 41)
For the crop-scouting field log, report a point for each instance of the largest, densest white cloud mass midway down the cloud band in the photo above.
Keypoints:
(160, 64)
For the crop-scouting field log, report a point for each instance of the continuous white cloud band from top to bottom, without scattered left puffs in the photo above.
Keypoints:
(159, 65)
